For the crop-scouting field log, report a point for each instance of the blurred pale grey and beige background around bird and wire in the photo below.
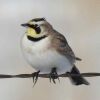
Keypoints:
(78, 20)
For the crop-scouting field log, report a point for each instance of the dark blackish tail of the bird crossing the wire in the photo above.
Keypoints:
(77, 80)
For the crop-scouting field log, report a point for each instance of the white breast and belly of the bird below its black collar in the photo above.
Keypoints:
(45, 60)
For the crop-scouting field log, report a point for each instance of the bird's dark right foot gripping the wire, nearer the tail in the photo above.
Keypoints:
(53, 75)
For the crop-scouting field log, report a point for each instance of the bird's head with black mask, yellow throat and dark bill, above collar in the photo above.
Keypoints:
(37, 27)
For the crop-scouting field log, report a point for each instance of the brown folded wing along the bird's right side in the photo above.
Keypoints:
(61, 45)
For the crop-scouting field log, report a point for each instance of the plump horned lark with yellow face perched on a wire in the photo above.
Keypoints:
(48, 52)
